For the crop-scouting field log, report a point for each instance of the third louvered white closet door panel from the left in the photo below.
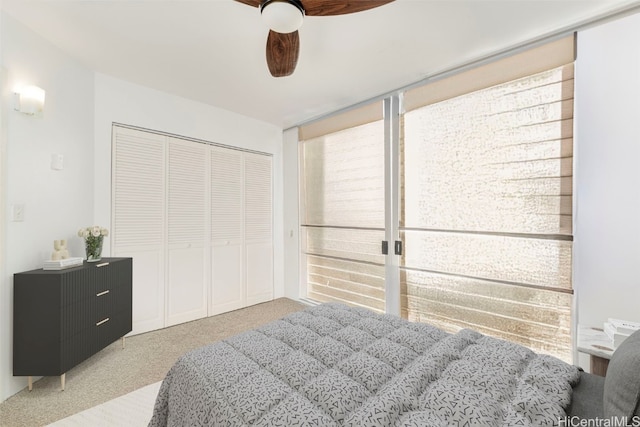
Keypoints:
(227, 212)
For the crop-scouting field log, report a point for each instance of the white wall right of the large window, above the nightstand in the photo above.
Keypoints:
(607, 173)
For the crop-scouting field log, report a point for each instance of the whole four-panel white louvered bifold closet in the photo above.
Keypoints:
(197, 219)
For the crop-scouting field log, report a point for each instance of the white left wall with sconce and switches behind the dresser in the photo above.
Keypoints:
(56, 203)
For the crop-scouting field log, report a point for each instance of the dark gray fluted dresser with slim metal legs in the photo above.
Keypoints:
(62, 317)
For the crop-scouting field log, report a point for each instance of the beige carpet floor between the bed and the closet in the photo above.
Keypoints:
(114, 371)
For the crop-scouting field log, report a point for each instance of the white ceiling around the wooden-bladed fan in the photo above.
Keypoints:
(213, 51)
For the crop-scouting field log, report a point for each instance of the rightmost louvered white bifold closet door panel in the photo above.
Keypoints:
(258, 225)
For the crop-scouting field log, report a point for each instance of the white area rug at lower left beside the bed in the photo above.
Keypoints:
(131, 410)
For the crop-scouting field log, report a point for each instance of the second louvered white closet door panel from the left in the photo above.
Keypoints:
(187, 249)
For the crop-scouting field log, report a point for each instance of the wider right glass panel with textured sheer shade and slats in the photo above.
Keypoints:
(487, 200)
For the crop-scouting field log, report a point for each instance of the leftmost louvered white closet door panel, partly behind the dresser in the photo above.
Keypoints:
(138, 218)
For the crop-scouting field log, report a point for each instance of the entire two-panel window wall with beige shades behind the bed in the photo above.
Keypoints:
(454, 206)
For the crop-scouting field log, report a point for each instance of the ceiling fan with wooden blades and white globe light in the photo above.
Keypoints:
(284, 18)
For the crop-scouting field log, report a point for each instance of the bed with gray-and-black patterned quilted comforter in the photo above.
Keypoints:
(334, 365)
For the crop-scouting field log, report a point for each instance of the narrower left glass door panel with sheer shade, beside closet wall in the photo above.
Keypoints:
(342, 185)
